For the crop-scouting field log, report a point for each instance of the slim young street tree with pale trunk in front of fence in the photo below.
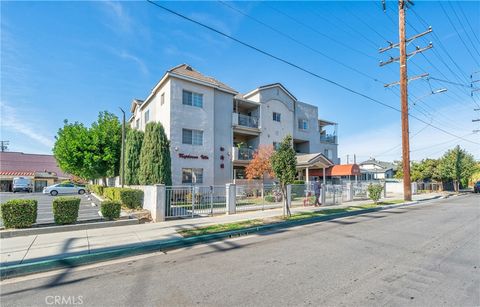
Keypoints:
(284, 164)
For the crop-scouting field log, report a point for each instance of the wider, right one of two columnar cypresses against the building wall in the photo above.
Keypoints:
(155, 163)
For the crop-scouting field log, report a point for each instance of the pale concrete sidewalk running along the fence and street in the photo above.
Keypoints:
(28, 249)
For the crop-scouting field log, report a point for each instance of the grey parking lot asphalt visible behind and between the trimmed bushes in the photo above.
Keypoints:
(44, 208)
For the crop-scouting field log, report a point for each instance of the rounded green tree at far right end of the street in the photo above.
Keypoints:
(458, 166)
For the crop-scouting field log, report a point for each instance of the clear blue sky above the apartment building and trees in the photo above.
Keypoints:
(70, 60)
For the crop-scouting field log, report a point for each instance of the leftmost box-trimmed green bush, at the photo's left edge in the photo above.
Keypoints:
(19, 213)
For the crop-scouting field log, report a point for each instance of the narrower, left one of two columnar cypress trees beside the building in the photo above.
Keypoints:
(133, 147)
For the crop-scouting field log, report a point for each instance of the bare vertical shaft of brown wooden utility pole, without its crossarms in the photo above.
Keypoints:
(407, 187)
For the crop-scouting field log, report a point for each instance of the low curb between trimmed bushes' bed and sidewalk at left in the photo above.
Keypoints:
(4, 234)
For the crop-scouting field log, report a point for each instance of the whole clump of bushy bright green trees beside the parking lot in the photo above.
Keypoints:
(90, 153)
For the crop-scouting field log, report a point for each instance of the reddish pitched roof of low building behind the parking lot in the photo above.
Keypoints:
(17, 163)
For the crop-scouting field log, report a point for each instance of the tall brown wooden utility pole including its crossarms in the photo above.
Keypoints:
(403, 82)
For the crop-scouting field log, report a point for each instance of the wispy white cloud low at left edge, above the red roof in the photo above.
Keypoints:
(18, 124)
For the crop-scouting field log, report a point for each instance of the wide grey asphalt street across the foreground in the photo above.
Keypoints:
(423, 255)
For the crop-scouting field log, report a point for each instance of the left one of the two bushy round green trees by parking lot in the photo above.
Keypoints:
(71, 143)
